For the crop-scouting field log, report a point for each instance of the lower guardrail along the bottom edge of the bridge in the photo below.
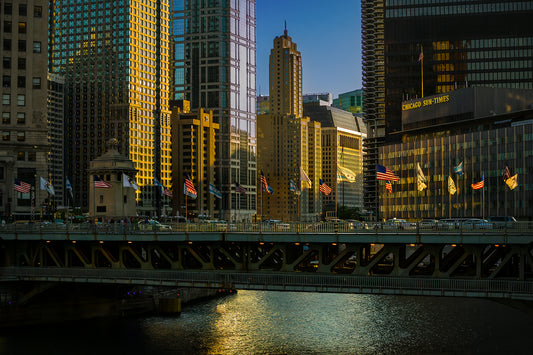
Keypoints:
(286, 281)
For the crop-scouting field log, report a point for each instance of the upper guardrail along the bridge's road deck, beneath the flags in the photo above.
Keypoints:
(320, 227)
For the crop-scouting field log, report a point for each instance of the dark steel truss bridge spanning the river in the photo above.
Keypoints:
(323, 257)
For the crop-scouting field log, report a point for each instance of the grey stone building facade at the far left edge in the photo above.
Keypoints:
(24, 146)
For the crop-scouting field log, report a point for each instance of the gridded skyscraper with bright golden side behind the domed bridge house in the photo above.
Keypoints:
(115, 60)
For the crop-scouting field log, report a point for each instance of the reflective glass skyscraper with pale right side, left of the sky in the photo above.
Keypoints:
(213, 67)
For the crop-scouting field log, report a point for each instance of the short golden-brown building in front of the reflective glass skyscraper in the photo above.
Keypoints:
(193, 153)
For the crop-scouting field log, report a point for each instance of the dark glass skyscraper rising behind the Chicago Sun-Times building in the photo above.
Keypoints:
(417, 48)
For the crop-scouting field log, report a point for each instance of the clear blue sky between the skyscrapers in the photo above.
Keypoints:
(327, 34)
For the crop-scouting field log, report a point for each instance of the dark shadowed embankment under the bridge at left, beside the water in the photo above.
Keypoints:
(21, 304)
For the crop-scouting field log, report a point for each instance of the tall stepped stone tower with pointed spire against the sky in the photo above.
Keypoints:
(288, 143)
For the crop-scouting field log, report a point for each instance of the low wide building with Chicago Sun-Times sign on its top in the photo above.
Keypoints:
(484, 130)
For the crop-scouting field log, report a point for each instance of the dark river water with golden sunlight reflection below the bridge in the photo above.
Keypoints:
(255, 322)
